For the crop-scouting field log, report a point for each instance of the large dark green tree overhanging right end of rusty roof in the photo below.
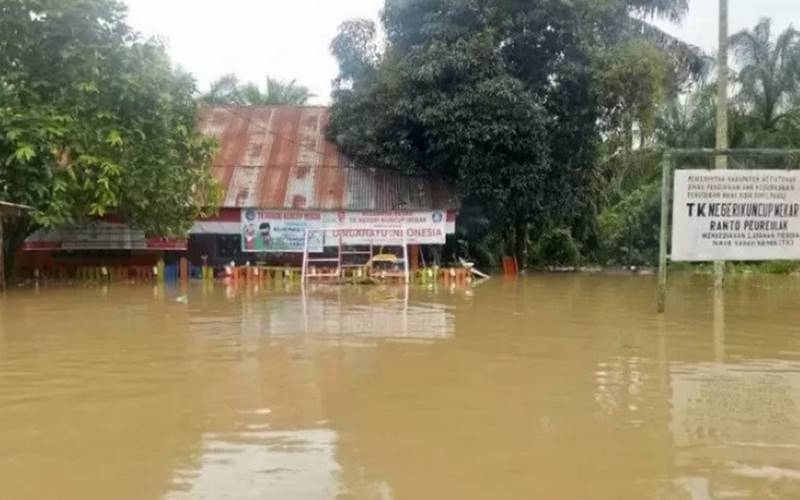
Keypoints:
(511, 101)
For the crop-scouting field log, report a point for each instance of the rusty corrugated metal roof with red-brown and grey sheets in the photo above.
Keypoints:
(278, 157)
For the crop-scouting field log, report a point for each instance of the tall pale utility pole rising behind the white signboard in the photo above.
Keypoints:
(721, 161)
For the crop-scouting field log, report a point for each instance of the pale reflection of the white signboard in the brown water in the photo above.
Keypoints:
(741, 422)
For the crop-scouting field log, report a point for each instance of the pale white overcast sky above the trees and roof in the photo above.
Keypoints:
(289, 39)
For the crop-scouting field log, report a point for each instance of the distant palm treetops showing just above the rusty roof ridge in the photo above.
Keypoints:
(228, 90)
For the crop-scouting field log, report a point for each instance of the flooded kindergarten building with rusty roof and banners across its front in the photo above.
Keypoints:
(281, 179)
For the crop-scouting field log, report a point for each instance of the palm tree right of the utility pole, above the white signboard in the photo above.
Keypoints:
(769, 72)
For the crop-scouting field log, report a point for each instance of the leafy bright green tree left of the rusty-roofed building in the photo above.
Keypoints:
(94, 120)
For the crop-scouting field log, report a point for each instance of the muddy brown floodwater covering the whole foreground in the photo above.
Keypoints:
(547, 387)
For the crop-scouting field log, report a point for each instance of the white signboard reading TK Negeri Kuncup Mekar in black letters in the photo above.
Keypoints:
(736, 215)
